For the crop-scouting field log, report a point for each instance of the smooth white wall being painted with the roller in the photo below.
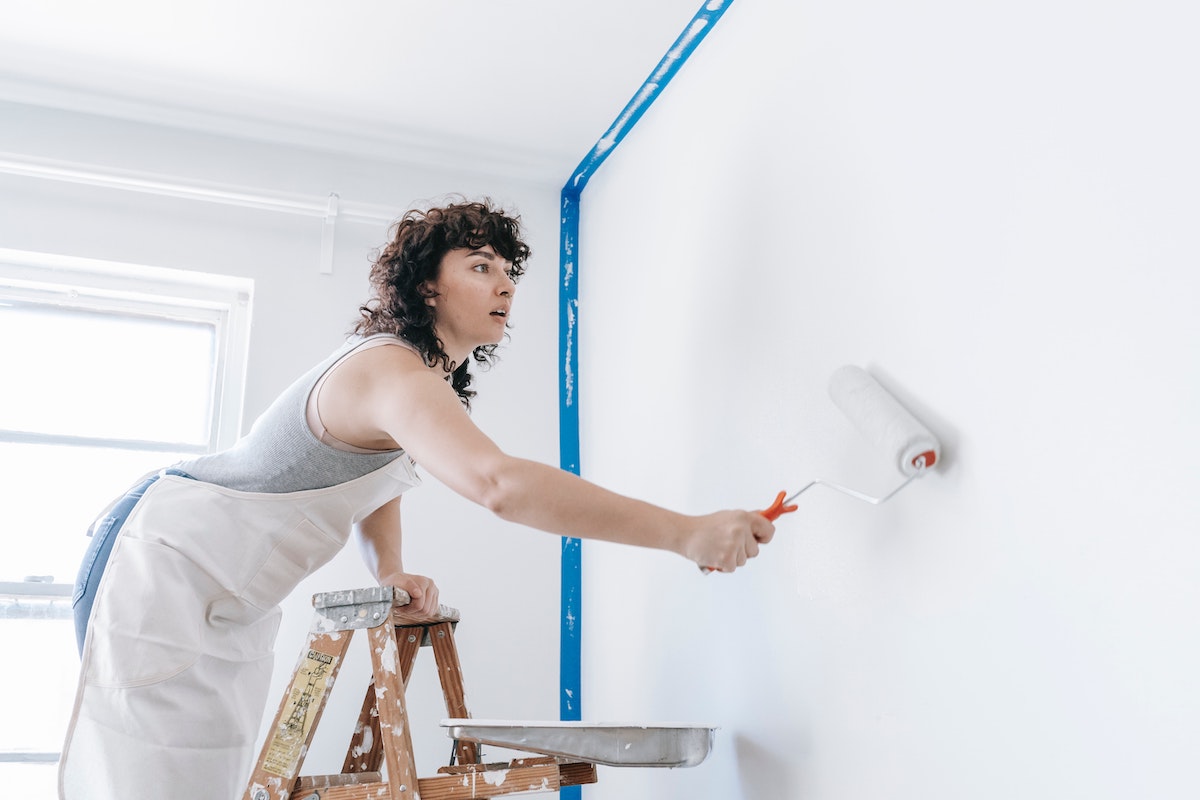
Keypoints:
(992, 207)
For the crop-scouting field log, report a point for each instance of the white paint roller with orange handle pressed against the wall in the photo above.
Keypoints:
(883, 422)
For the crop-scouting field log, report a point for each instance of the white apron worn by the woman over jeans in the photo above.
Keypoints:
(178, 659)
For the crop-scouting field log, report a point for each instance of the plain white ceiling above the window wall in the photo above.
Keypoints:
(514, 85)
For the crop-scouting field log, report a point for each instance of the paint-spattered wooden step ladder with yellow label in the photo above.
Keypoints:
(380, 762)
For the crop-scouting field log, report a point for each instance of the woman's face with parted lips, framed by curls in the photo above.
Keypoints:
(472, 299)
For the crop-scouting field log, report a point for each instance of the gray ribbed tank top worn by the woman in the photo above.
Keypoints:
(281, 454)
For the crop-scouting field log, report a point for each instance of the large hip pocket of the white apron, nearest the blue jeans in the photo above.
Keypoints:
(147, 622)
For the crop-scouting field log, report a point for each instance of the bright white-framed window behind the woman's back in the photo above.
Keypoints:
(110, 371)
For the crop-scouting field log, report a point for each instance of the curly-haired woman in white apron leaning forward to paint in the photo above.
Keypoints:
(178, 613)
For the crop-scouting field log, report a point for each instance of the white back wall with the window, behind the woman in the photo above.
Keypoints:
(500, 576)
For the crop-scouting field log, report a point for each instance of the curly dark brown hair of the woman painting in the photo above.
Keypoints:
(413, 258)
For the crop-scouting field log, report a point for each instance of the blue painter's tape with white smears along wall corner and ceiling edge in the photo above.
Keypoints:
(568, 344)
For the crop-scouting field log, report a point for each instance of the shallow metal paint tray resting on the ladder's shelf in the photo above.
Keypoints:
(605, 743)
